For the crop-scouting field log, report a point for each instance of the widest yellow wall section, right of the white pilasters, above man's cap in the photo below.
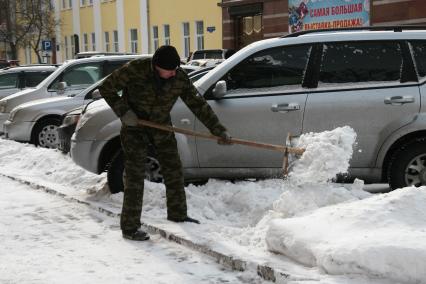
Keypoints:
(174, 13)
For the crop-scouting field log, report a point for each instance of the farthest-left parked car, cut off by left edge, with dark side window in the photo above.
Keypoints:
(15, 79)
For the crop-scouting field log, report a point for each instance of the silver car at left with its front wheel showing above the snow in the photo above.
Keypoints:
(37, 121)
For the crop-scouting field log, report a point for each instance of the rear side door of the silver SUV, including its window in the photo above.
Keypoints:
(367, 85)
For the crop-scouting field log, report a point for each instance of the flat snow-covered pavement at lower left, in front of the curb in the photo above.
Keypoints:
(45, 239)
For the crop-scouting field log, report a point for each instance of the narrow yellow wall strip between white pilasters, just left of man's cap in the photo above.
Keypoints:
(132, 20)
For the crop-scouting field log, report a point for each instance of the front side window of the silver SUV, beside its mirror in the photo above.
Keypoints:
(279, 66)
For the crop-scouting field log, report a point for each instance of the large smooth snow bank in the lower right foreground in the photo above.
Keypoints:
(381, 236)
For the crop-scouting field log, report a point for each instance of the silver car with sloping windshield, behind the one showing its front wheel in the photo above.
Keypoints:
(69, 79)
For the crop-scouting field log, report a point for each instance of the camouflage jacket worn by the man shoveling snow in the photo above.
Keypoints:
(149, 99)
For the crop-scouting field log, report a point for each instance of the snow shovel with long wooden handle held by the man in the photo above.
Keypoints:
(280, 148)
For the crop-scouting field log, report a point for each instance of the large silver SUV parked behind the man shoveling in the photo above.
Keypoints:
(371, 78)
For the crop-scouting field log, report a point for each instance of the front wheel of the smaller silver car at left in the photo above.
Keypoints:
(45, 133)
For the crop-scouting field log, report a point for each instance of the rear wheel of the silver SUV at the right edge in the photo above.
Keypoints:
(407, 166)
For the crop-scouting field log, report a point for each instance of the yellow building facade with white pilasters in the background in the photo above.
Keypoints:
(133, 26)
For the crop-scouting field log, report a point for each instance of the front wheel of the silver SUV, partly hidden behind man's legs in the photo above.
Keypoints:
(116, 170)
